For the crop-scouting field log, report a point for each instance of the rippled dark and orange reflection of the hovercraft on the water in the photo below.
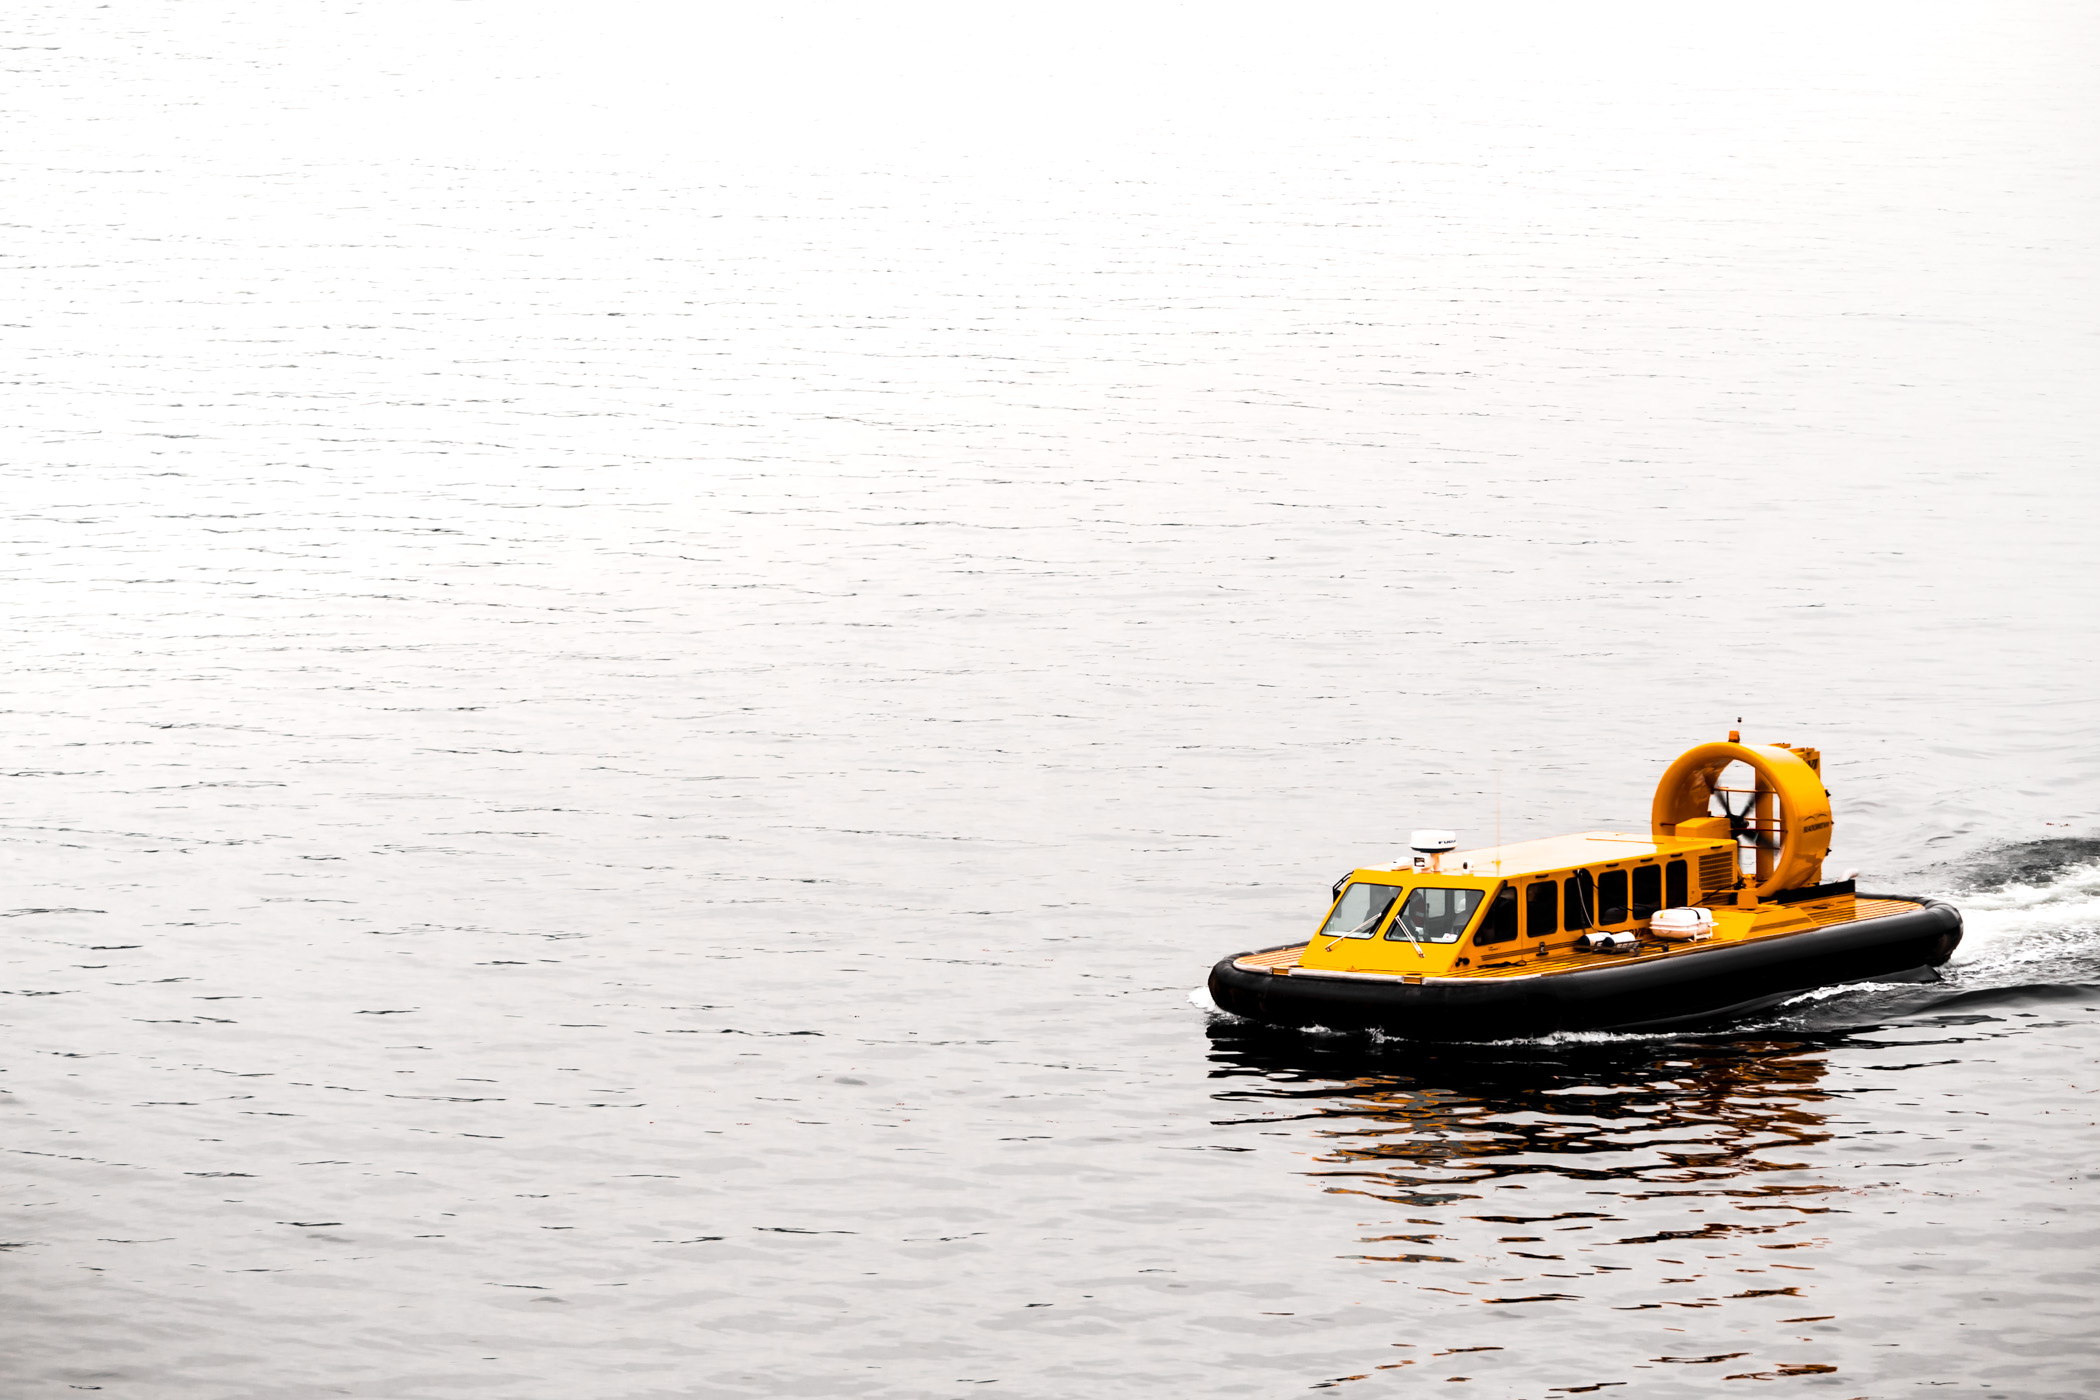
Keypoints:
(1643, 1200)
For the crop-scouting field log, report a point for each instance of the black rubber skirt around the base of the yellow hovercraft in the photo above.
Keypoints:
(1704, 983)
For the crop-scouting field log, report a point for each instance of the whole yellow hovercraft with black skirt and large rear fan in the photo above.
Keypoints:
(1605, 931)
